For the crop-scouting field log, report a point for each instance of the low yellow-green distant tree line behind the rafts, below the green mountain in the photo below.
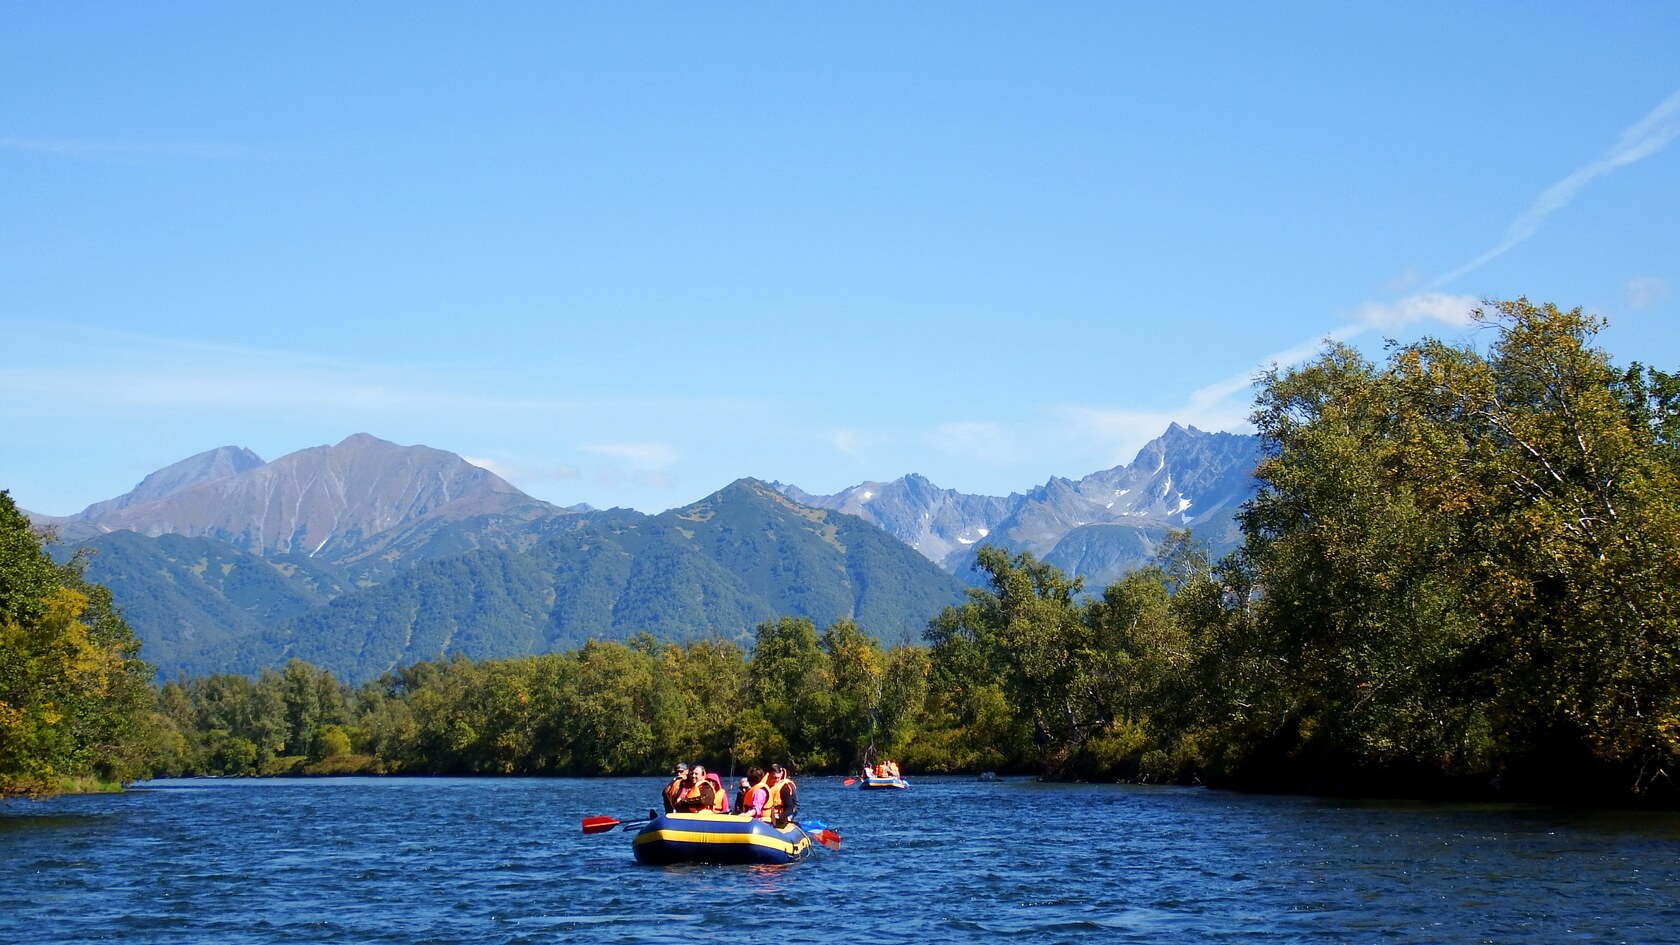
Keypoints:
(819, 702)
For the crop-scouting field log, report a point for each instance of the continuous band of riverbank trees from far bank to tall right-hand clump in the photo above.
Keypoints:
(1461, 578)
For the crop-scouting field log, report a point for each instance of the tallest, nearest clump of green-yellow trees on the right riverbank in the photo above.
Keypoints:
(1464, 568)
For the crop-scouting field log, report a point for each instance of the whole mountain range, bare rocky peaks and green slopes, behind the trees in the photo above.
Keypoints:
(367, 556)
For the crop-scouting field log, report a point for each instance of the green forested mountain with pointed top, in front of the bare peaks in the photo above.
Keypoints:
(715, 569)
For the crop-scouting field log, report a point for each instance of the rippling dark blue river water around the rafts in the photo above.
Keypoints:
(952, 860)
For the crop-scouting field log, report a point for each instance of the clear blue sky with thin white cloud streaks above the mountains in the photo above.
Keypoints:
(624, 255)
